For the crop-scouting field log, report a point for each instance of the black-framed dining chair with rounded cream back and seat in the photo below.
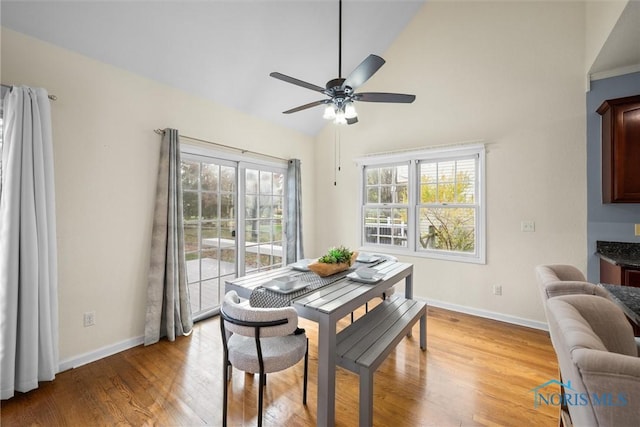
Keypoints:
(260, 341)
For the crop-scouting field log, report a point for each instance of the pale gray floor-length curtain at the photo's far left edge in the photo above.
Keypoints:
(28, 253)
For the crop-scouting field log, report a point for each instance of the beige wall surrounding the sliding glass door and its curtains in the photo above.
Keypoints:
(106, 157)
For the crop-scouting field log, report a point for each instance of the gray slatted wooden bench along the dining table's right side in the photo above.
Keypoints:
(362, 346)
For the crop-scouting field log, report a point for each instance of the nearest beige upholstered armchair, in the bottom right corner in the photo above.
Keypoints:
(598, 360)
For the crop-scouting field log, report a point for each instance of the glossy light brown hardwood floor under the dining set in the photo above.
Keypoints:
(475, 372)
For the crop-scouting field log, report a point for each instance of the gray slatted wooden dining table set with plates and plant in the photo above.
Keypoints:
(325, 300)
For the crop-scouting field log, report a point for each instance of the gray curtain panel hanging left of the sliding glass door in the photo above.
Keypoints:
(168, 308)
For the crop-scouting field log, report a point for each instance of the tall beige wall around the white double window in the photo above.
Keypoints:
(511, 74)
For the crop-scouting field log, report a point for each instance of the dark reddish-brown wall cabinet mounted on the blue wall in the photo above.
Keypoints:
(621, 150)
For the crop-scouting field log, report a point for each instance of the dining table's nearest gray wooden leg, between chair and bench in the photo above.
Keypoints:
(326, 371)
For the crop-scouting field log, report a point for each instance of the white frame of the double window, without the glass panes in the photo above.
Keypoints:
(414, 158)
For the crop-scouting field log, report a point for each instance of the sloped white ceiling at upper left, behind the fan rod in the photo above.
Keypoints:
(223, 50)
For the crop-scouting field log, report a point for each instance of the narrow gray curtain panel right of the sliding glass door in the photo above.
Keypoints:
(295, 250)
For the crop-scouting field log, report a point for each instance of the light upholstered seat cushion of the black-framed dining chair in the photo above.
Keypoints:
(278, 353)
